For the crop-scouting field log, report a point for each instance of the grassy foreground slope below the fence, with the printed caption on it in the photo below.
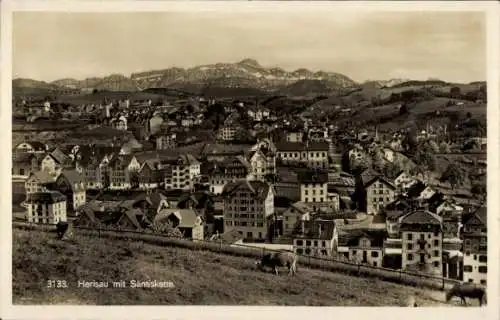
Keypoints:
(200, 277)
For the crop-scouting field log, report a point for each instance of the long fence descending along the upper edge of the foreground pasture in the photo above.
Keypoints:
(327, 264)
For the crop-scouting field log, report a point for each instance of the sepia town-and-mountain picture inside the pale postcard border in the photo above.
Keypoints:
(249, 158)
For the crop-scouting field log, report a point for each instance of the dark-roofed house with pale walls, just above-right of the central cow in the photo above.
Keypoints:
(317, 238)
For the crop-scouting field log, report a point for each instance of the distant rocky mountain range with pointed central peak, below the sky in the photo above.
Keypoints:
(247, 73)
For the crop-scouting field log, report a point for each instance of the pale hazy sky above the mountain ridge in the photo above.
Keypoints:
(378, 45)
